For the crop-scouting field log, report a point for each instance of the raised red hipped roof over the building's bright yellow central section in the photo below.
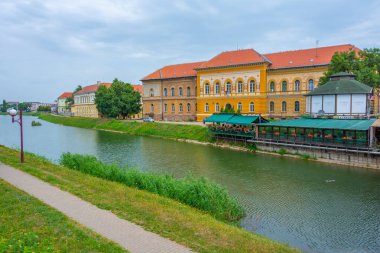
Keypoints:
(239, 57)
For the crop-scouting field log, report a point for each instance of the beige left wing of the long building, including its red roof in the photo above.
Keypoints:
(169, 93)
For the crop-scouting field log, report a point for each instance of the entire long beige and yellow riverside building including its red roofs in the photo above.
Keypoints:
(273, 85)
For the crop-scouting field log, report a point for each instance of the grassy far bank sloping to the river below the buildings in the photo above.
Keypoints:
(189, 132)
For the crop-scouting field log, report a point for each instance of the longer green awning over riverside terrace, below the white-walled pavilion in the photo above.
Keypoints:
(341, 124)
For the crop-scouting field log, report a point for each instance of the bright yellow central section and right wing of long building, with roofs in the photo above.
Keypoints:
(273, 84)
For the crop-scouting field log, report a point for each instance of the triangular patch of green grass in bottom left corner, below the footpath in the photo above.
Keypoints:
(28, 225)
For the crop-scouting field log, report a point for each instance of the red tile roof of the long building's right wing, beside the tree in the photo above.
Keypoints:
(306, 57)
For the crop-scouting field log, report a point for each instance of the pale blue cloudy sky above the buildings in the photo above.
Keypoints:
(48, 47)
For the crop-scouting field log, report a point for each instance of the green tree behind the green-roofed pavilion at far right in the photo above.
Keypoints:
(365, 65)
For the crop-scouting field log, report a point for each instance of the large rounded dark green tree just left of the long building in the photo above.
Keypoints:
(118, 100)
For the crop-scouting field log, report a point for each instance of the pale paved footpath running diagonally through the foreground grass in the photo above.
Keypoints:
(130, 236)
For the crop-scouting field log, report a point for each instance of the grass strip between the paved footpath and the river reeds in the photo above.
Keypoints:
(171, 219)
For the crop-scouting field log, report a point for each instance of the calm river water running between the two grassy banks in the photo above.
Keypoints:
(313, 206)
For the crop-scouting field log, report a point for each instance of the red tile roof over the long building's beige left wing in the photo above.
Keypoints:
(174, 71)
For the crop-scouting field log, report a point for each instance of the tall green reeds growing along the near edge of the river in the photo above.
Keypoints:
(200, 193)
